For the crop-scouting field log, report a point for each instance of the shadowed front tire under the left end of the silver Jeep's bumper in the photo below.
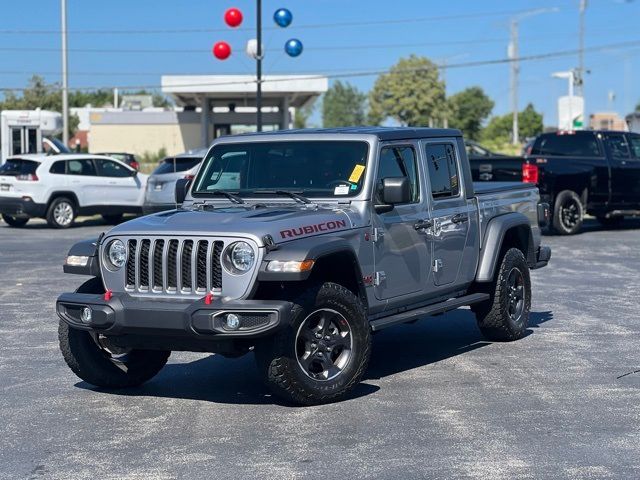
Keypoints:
(92, 365)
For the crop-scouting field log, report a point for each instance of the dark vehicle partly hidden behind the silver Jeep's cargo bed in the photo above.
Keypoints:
(488, 166)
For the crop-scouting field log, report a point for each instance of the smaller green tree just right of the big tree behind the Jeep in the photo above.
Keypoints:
(468, 109)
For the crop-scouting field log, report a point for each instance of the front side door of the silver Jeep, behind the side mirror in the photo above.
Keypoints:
(401, 255)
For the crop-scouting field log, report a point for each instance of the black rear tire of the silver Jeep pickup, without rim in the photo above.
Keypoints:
(493, 317)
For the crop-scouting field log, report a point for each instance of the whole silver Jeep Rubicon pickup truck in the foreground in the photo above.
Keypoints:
(299, 245)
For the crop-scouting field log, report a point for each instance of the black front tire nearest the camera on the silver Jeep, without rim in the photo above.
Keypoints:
(277, 360)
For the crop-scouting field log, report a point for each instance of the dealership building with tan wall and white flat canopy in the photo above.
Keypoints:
(207, 106)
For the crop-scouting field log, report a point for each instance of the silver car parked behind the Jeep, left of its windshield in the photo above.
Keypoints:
(160, 193)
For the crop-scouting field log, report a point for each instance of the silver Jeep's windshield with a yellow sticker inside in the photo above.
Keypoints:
(312, 168)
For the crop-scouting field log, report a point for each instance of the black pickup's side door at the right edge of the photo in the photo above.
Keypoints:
(625, 171)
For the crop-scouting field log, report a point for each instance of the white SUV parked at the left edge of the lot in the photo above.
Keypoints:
(61, 187)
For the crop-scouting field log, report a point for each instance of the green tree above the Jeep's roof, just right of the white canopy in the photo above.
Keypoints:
(343, 106)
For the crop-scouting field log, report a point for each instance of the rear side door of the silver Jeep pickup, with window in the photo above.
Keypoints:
(450, 211)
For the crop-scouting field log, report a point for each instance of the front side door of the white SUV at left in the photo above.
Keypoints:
(118, 184)
